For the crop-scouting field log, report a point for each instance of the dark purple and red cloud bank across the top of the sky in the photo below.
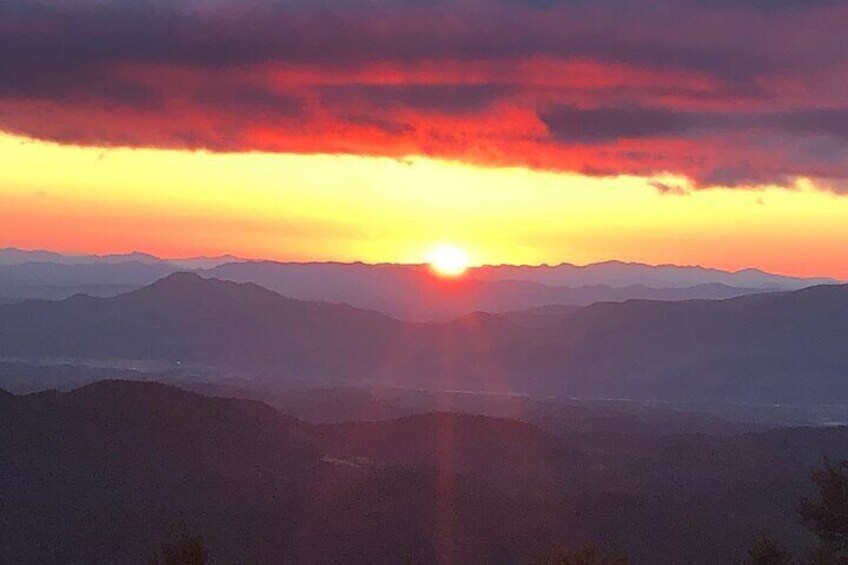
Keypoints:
(726, 93)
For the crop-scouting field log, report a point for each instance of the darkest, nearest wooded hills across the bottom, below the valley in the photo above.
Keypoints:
(104, 473)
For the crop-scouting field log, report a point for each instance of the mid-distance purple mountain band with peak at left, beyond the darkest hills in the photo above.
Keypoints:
(766, 348)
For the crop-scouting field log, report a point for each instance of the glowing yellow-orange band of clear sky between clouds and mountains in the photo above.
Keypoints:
(327, 207)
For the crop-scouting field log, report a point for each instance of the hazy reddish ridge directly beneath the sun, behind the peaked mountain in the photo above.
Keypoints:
(414, 293)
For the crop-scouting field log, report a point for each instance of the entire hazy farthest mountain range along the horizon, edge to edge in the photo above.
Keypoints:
(410, 292)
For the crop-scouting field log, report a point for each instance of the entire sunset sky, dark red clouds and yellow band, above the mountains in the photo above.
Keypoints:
(705, 132)
